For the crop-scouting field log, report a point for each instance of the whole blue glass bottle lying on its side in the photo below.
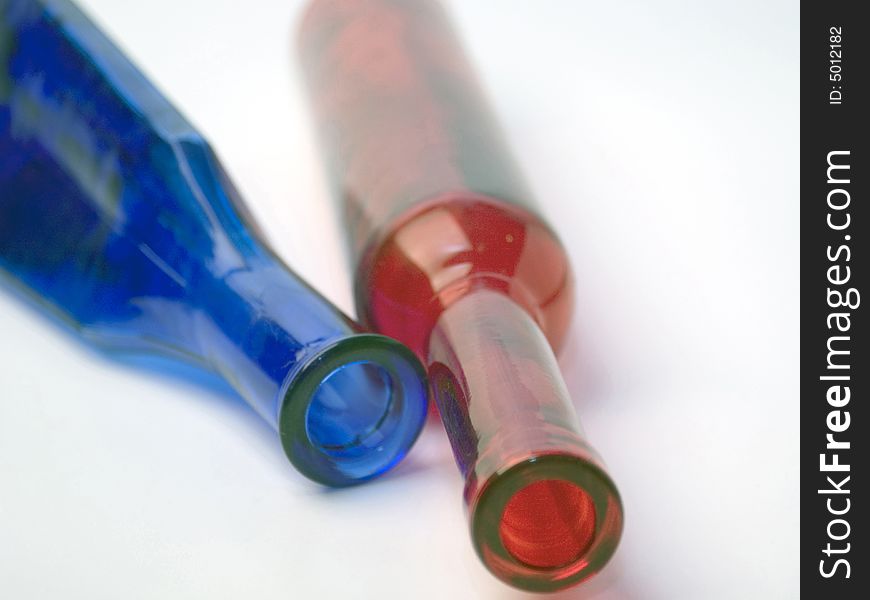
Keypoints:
(116, 215)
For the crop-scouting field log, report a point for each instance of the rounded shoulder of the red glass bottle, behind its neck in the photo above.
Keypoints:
(443, 249)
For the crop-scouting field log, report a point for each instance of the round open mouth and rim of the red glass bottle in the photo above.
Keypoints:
(547, 523)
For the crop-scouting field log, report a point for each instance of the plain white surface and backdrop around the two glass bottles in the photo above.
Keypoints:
(662, 139)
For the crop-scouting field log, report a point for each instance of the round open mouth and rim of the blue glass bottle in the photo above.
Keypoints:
(354, 410)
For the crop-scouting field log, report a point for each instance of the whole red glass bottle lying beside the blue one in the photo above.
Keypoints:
(454, 260)
